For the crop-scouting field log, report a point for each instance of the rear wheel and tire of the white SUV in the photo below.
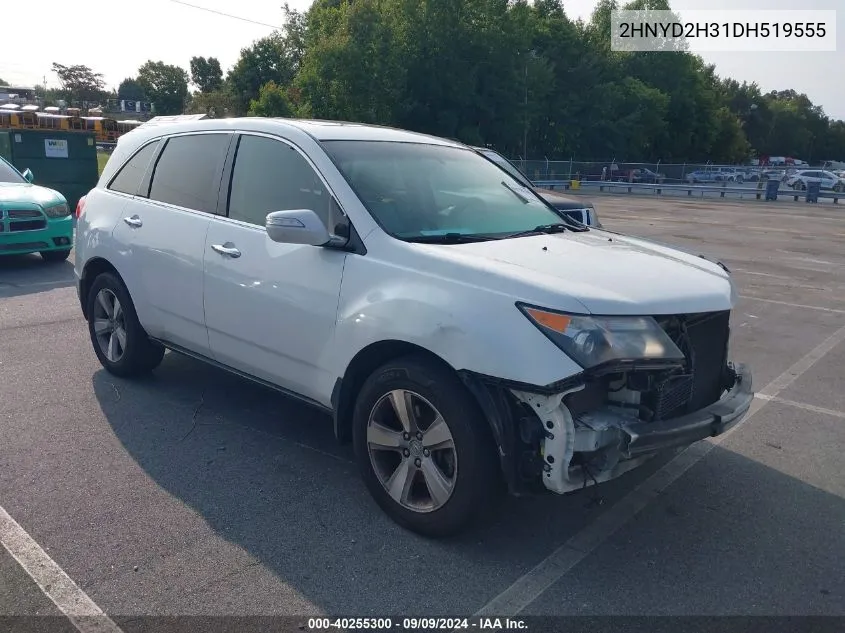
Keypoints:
(120, 342)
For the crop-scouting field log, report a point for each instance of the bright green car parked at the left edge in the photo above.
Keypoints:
(33, 219)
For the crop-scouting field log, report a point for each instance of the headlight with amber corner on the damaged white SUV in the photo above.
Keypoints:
(595, 340)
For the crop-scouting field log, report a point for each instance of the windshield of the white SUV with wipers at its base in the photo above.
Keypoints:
(416, 190)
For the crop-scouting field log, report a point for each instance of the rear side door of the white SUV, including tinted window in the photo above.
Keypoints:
(164, 226)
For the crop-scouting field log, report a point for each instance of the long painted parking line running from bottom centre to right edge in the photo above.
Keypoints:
(550, 570)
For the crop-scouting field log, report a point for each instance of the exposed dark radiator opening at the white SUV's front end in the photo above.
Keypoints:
(703, 338)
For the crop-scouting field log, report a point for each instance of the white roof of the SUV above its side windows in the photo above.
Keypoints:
(319, 130)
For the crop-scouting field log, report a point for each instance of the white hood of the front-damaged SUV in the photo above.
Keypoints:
(606, 273)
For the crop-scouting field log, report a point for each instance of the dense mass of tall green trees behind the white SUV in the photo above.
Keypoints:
(517, 75)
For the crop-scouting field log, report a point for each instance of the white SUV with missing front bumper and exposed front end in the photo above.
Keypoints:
(460, 332)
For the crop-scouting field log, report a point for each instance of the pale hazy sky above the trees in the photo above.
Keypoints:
(170, 31)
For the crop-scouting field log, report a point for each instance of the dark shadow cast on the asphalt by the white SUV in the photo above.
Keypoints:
(264, 473)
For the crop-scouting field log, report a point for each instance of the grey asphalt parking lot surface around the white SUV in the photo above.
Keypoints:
(193, 492)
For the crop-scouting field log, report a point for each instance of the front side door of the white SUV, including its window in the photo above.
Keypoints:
(271, 308)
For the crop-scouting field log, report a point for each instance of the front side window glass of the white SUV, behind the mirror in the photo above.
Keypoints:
(270, 175)
